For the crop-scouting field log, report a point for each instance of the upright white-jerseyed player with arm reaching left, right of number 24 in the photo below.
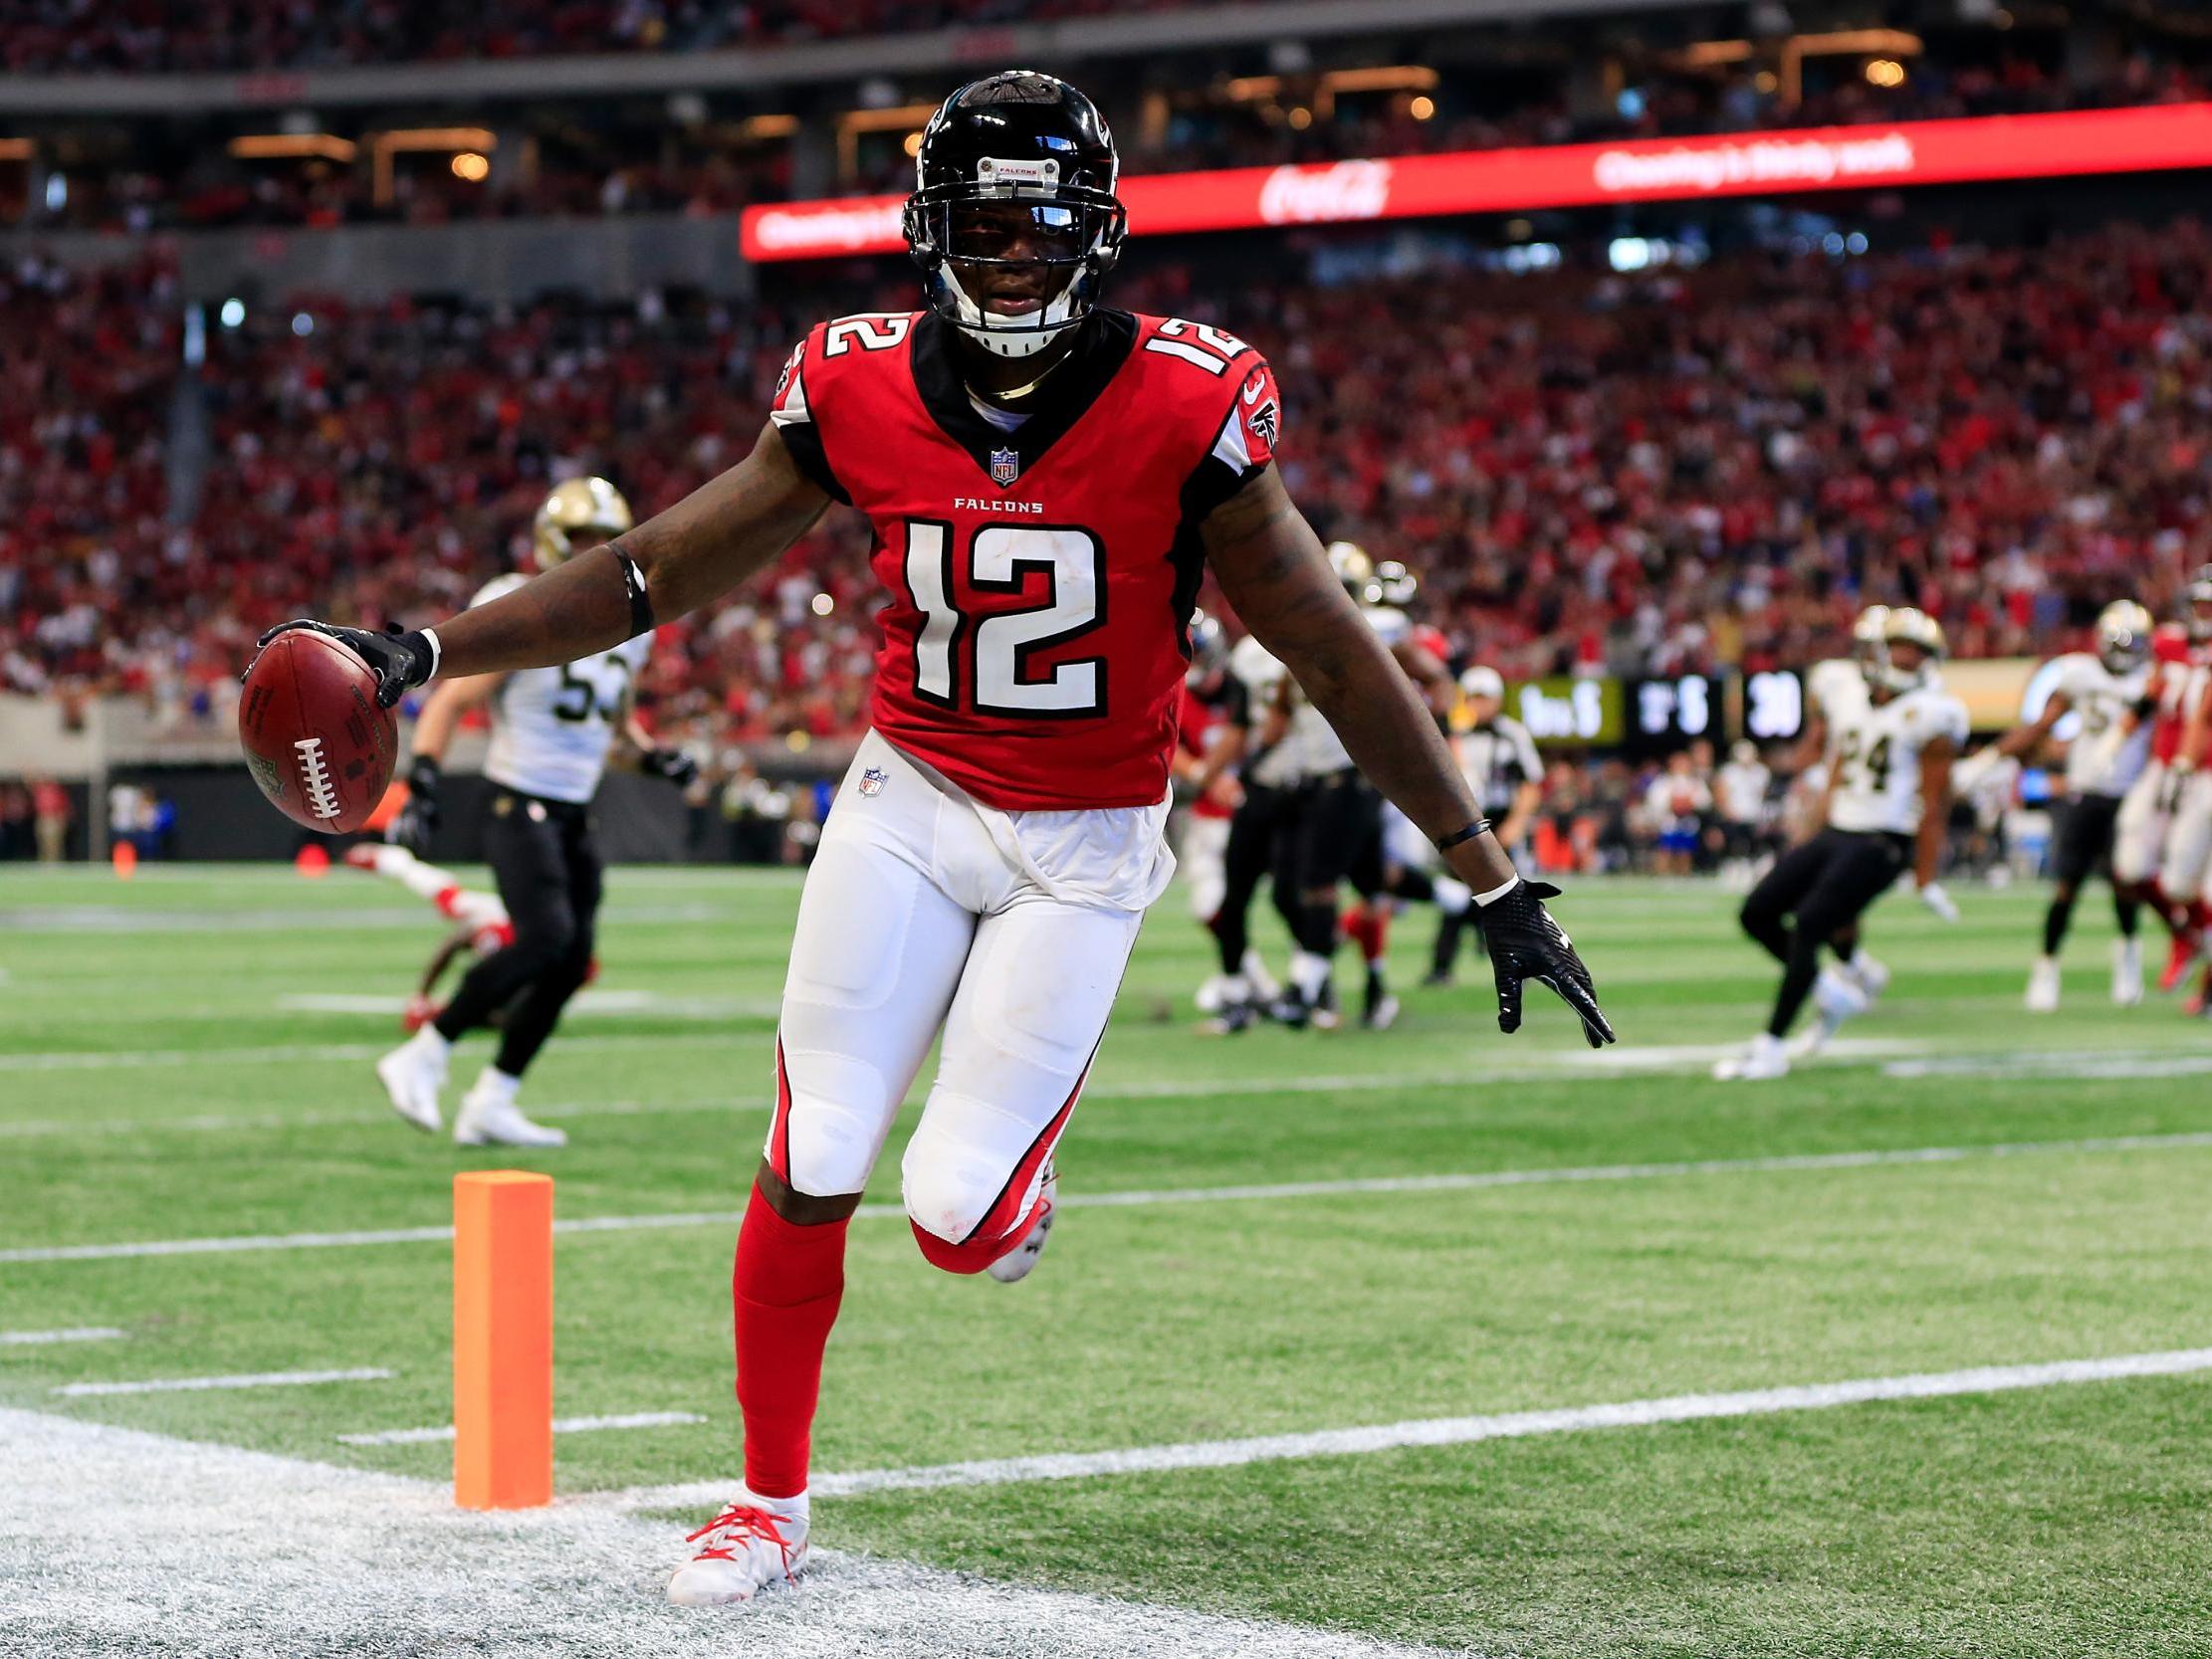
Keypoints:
(2107, 755)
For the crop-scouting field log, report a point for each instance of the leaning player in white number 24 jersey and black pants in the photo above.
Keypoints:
(1888, 802)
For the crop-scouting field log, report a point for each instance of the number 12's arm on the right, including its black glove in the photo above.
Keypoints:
(1280, 581)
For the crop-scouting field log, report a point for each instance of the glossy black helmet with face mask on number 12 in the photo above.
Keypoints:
(1027, 140)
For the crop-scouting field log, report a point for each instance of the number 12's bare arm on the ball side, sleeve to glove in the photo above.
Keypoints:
(702, 547)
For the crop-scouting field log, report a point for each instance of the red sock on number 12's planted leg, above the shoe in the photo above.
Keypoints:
(786, 1291)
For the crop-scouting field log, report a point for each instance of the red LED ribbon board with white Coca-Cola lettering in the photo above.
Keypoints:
(1576, 176)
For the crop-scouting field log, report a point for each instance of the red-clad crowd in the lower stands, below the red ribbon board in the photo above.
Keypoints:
(1634, 474)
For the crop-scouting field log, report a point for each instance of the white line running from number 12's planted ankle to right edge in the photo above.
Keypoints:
(1459, 1432)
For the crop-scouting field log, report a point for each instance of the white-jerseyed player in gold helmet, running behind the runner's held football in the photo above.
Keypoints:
(550, 738)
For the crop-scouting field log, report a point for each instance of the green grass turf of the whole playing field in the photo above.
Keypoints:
(189, 1056)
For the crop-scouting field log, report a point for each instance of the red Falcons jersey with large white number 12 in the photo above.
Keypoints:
(1041, 578)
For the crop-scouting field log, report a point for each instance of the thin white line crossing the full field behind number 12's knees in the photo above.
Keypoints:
(1468, 1182)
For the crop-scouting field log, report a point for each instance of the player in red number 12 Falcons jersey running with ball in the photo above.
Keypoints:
(1045, 481)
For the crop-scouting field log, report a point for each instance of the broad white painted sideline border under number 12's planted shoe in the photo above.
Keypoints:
(114, 1541)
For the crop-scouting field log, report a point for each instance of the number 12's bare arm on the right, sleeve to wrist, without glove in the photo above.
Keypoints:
(1275, 574)
